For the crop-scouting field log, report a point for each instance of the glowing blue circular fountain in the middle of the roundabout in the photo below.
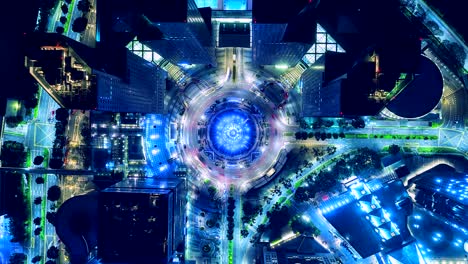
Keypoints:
(233, 133)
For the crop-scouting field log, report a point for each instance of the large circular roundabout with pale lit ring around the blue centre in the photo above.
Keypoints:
(230, 134)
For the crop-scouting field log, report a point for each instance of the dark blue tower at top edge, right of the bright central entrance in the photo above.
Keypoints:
(281, 32)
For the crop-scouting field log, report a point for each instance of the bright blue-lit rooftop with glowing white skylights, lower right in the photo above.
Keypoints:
(376, 221)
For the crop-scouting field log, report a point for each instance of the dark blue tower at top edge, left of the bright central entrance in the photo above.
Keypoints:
(177, 30)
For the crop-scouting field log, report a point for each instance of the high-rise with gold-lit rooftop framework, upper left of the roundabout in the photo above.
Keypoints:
(80, 77)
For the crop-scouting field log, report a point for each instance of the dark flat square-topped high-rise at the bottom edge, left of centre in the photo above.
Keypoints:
(142, 221)
